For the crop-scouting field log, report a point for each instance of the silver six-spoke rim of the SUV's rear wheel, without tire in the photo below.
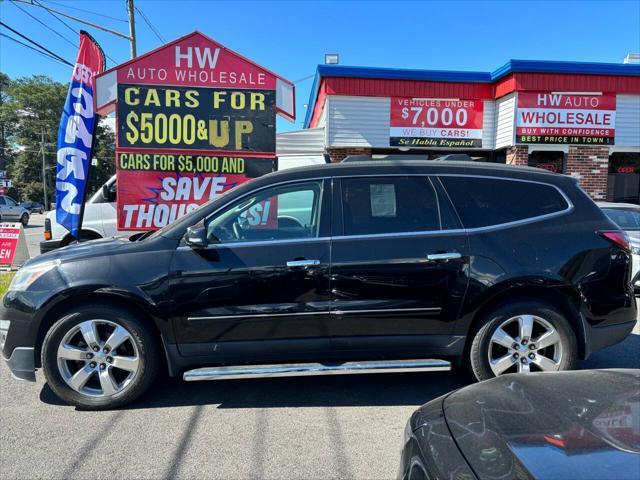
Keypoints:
(525, 343)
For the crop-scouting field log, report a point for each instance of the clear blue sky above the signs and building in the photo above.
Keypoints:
(292, 37)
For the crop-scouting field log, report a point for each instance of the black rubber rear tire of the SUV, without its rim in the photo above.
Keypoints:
(479, 349)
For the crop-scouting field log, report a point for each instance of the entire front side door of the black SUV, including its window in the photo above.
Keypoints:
(263, 291)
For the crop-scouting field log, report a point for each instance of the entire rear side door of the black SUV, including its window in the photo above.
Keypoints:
(386, 281)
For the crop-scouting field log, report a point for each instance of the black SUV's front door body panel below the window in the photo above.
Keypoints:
(248, 293)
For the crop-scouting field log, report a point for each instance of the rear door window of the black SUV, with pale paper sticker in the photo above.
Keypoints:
(389, 205)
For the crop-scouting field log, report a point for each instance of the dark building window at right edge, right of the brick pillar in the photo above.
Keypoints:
(623, 182)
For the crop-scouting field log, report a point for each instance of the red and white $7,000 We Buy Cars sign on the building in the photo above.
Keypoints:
(432, 122)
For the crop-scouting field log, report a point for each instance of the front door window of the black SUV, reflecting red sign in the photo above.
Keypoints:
(279, 213)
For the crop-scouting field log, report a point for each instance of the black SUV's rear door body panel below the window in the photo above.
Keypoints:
(391, 288)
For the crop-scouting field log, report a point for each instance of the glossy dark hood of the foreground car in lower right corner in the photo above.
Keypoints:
(583, 424)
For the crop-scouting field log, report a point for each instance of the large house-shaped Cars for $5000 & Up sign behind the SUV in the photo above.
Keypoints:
(194, 120)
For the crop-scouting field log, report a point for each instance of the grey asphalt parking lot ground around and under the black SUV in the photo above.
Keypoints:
(308, 427)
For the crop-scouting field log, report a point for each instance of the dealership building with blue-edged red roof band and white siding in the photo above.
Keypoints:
(580, 119)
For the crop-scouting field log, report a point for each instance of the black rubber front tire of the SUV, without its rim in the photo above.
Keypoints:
(145, 341)
